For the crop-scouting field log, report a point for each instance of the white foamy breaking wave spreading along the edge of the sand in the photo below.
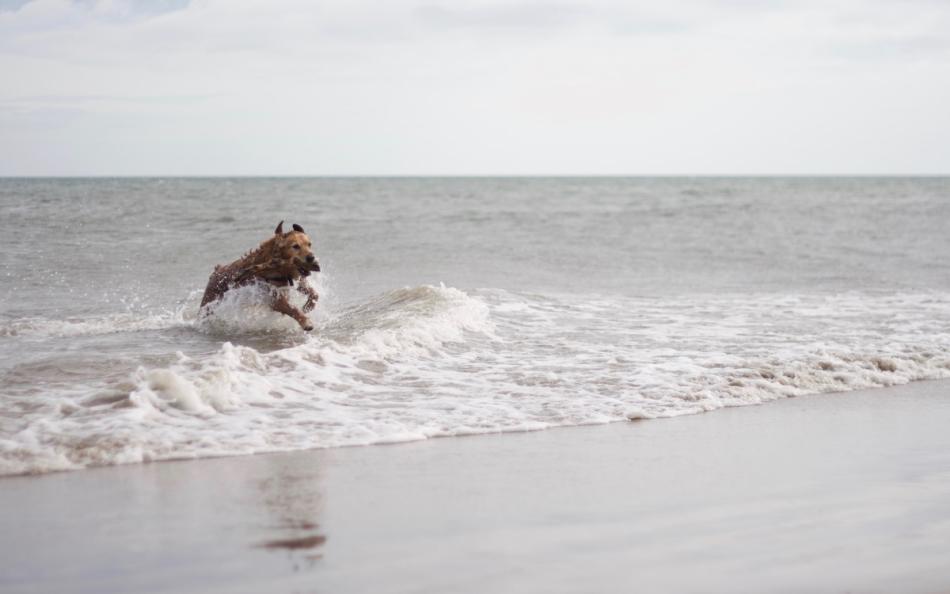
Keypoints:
(430, 361)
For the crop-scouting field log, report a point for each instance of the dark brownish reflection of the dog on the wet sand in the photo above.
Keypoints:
(294, 500)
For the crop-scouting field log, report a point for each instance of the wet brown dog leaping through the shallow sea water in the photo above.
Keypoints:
(278, 262)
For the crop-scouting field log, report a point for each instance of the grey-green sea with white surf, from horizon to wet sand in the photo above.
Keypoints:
(451, 307)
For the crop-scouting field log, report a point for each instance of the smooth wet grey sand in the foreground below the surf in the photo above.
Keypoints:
(833, 493)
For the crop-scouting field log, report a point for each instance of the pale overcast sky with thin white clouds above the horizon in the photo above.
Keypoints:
(416, 87)
